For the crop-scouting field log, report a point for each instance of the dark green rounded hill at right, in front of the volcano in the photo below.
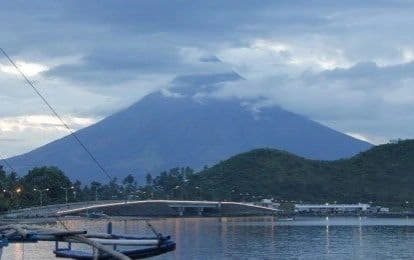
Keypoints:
(384, 173)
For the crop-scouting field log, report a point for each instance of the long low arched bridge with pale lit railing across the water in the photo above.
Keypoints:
(145, 208)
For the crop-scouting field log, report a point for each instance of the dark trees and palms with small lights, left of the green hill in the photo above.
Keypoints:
(50, 185)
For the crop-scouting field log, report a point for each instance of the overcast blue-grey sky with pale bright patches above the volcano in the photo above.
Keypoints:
(346, 64)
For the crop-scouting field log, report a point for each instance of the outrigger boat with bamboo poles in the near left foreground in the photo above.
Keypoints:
(104, 245)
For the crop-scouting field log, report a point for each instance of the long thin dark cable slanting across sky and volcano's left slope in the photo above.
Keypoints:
(72, 133)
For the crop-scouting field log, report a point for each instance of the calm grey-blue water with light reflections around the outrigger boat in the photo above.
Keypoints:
(261, 238)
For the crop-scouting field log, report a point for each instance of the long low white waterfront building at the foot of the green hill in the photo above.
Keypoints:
(331, 208)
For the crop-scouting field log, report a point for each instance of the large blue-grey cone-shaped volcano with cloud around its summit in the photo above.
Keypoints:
(163, 131)
